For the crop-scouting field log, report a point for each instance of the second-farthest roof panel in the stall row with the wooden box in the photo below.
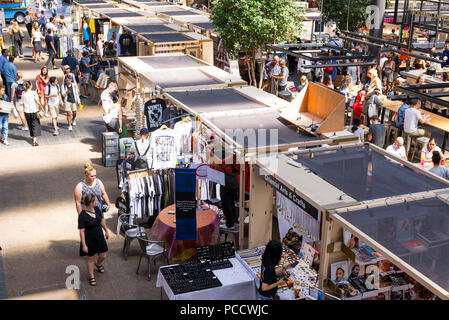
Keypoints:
(179, 78)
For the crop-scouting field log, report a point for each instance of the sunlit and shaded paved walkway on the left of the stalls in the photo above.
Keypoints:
(38, 221)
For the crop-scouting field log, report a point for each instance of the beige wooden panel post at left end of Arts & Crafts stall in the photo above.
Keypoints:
(260, 210)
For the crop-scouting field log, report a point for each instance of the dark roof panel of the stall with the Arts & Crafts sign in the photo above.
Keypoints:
(366, 174)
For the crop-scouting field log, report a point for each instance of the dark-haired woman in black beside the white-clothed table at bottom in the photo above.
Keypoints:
(268, 273)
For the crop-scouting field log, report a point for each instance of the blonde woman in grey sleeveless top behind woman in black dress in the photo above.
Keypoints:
(91, 185)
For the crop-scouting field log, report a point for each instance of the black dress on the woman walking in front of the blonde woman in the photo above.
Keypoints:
(93, 233)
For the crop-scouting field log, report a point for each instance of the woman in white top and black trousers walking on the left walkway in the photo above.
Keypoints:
(31, 107)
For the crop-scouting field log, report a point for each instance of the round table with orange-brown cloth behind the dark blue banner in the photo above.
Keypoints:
(164, 228)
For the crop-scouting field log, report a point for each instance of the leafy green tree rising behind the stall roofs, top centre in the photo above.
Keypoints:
(248, 25)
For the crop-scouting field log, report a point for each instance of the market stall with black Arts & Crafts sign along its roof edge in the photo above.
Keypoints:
(326, 179)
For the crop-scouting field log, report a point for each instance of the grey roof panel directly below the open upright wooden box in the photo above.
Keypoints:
(251, 123)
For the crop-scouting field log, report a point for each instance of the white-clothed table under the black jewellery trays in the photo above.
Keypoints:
(237, 284)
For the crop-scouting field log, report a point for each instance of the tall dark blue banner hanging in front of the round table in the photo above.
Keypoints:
(185, 194)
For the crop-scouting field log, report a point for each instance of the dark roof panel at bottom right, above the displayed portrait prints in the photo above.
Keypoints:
(415, 231)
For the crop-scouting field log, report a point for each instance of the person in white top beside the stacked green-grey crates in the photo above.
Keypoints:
(112, 112)
